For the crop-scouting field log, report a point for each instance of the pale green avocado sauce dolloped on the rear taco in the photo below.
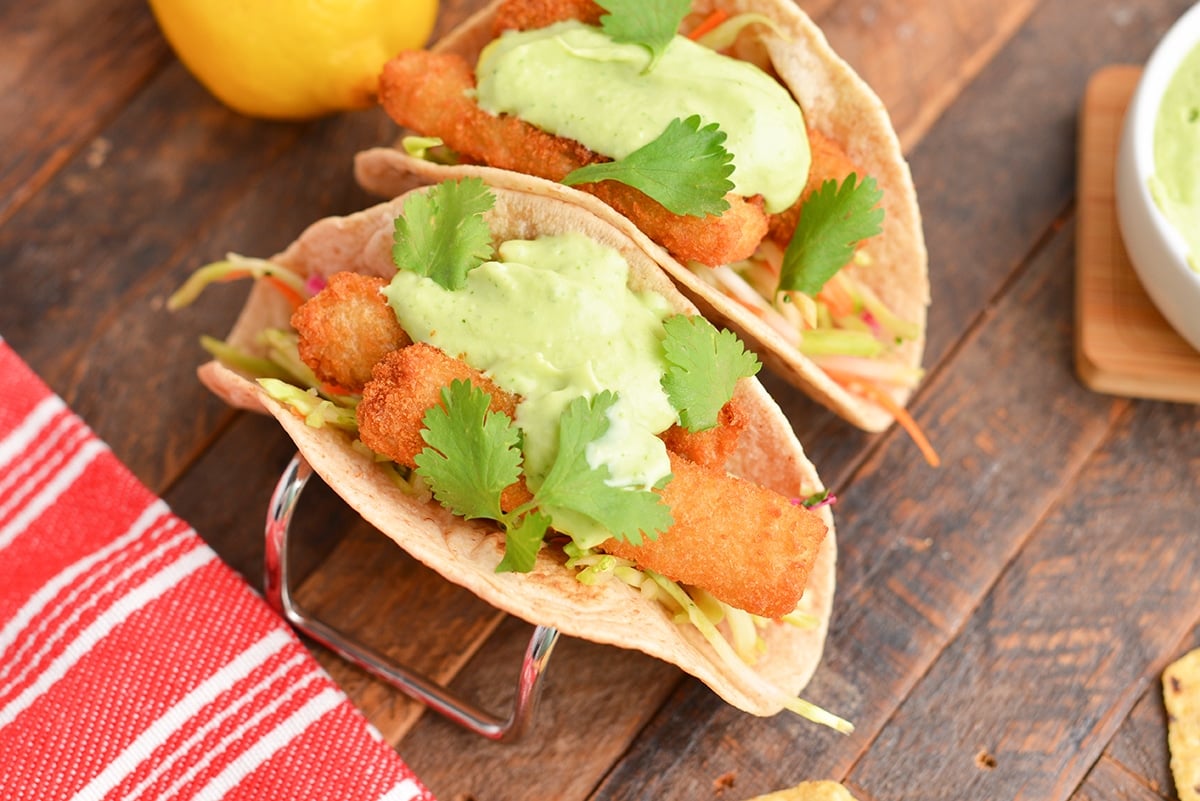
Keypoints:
(573, 81)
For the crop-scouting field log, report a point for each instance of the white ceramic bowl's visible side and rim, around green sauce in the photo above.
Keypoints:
(1156, 249)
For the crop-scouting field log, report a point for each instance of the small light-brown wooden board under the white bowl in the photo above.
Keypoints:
(1124, 346)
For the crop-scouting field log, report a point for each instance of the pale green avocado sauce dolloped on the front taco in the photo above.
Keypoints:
(554, 320)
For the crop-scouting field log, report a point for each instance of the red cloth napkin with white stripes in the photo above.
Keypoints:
(136, 665)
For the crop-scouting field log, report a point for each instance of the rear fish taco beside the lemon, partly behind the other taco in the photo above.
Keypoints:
(727, 131)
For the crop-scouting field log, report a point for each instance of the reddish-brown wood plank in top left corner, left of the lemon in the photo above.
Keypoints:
(68, 67)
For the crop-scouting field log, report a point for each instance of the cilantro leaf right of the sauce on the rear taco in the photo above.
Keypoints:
(833, 221)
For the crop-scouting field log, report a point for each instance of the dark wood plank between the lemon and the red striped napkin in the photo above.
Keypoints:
(80, 303)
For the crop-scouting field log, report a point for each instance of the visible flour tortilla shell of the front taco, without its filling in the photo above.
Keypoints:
(467, 552)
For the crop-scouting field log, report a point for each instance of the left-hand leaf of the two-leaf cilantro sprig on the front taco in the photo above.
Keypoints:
(472, 454)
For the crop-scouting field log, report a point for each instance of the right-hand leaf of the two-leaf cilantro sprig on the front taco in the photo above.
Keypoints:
(574, 485)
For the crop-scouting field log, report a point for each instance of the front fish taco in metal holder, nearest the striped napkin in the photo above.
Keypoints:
(513, 390)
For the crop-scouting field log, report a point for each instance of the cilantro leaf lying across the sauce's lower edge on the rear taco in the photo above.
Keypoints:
(686, 168)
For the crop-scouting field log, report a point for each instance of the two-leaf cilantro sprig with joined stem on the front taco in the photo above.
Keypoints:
(475, 455)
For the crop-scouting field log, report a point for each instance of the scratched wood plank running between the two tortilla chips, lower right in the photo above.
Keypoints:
(1072, 635)
